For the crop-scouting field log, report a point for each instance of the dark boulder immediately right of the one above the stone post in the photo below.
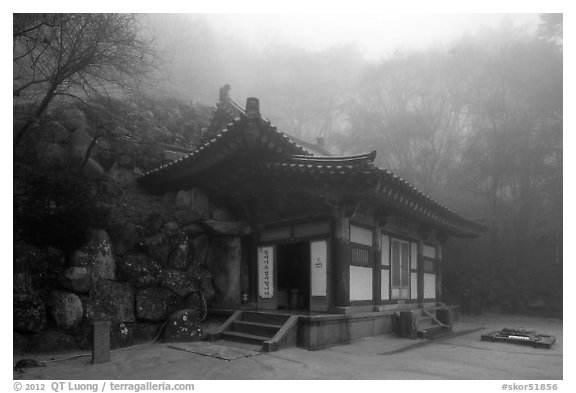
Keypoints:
(155, 304)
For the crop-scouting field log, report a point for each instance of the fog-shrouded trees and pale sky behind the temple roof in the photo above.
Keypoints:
(467, 107)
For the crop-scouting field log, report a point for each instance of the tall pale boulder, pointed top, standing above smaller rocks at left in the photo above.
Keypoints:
(96, 255)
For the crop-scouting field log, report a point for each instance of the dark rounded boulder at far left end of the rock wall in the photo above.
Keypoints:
(29, 313)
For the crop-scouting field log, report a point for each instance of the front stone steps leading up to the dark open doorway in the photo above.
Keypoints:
(270, 330)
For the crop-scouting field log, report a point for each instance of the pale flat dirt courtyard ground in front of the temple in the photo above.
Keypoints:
(461, 356)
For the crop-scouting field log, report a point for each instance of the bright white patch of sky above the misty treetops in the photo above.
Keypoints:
(375, 34)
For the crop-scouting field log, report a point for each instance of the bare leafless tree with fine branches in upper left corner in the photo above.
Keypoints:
(75, 54)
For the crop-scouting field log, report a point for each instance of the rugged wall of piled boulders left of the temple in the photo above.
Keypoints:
(151, 268)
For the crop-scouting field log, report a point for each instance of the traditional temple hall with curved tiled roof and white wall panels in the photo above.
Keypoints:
(335, 236)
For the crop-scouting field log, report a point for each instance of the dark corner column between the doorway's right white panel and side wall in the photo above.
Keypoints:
(340, 291)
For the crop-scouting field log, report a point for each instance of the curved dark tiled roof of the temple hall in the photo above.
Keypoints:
(274, 155)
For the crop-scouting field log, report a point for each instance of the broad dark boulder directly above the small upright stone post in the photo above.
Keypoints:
(111, 300)
